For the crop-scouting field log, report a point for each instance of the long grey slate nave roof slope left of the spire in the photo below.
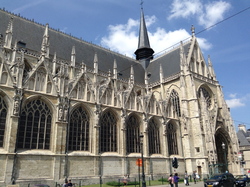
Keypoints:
(31, 33)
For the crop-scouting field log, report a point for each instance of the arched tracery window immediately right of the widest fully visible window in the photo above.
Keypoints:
(78, 130)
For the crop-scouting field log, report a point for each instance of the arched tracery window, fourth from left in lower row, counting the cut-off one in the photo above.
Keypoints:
(108, 132)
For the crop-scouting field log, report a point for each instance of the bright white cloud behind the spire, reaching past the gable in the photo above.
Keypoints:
(123, 38)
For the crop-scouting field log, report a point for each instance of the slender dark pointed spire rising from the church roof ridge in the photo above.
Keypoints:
(144, 52)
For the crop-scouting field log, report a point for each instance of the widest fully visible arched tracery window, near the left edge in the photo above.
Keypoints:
(35, 126)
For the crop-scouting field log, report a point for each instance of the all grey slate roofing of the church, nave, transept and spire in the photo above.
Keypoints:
(31, 34)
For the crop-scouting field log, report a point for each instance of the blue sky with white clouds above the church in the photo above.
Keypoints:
(114, 24)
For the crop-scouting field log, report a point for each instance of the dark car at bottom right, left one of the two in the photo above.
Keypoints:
(220, 180)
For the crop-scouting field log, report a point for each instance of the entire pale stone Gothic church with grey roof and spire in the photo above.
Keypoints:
(72, 109)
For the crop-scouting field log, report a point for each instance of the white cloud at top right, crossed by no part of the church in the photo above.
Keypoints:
(207, 14)
